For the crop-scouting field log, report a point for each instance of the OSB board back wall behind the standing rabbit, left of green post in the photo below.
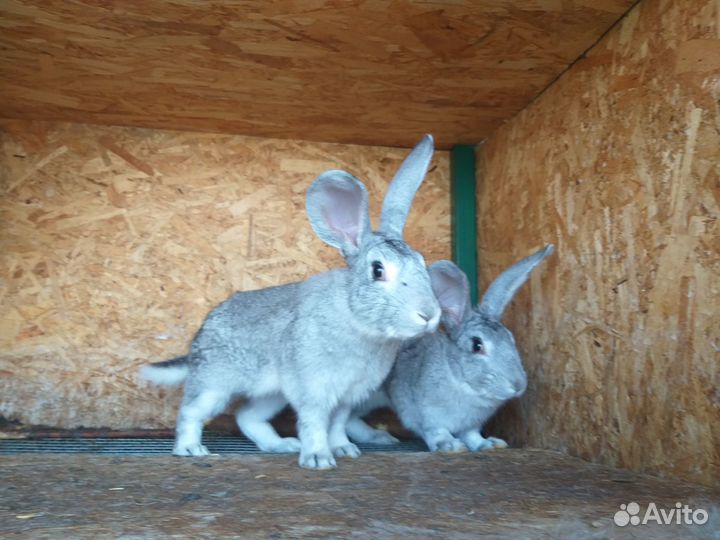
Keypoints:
(115, 243)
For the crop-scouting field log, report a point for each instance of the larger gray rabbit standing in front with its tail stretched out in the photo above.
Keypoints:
(323, 345)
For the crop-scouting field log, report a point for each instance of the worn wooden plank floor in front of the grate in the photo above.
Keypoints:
(497, 494)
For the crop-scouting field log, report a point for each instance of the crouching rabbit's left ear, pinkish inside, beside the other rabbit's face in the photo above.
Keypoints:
(450, 286)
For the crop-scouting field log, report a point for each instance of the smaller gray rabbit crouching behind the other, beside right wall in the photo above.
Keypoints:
(444, 386)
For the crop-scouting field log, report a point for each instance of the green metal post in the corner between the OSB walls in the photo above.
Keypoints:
(464, 236)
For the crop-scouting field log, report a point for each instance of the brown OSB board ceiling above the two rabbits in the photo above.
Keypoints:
(370, 72)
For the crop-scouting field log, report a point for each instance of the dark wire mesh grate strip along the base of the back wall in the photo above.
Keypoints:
(217, 444)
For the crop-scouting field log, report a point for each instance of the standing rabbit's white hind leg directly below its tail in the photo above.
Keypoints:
(195, 410)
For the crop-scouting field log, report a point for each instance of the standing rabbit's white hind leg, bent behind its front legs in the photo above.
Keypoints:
(253, 419)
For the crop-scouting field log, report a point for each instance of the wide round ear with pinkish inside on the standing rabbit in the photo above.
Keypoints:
(337, 206)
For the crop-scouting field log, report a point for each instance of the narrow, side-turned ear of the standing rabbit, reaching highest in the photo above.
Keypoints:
(403, 187)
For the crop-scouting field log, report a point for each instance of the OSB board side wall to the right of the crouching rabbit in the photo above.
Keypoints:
(618, 164)
